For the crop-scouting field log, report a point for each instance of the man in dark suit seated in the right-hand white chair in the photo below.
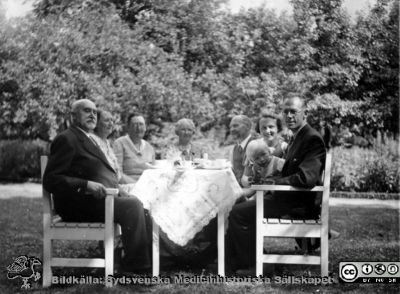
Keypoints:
(303, 168)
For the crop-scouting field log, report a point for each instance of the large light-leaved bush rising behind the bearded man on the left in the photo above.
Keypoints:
(89, 52)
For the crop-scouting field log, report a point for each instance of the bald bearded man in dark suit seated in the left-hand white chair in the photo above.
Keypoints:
(78, 173)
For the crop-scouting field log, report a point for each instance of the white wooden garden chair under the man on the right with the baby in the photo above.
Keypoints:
(293, 228)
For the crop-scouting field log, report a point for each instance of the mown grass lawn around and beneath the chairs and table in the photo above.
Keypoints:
(367, 234)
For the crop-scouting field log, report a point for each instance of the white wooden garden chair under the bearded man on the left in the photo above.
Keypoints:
(55, 229)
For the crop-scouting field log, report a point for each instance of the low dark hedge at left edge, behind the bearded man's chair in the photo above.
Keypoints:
(20, 160)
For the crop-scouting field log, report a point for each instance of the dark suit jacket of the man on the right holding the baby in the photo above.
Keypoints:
(305, 160)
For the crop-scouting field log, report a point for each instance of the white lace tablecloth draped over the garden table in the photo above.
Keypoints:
(183, 202)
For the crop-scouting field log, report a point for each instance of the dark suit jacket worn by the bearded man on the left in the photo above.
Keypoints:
(74, 160)
